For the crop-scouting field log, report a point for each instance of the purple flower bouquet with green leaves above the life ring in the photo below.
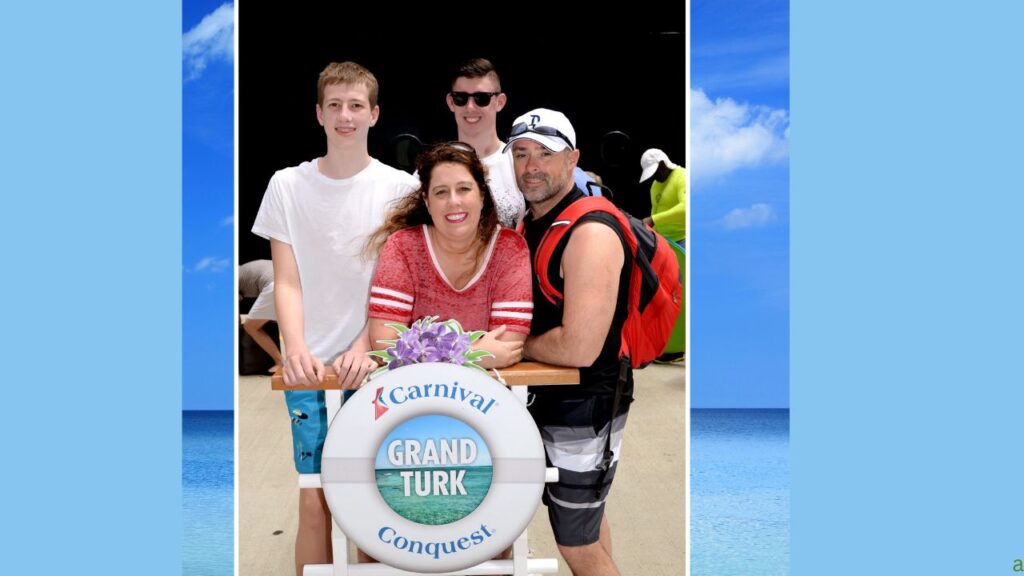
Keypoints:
(428, 341)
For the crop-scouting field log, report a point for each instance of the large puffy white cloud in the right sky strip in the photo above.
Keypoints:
(729, 136)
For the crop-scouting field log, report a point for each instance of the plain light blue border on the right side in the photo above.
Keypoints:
(908, 396)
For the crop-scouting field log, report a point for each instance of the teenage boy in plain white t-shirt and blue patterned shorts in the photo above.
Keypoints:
(318, 217)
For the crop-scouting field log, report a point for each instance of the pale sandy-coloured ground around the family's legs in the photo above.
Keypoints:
(646, 509)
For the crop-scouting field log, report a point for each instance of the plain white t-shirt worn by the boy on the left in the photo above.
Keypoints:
(327, 223)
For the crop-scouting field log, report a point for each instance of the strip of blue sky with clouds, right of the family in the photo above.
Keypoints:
(740, 203)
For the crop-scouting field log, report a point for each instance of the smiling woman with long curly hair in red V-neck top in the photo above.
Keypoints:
(444, 254)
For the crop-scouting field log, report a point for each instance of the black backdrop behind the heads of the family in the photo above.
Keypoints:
(623, 72)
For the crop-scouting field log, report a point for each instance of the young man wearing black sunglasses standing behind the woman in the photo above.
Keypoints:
(476, 100)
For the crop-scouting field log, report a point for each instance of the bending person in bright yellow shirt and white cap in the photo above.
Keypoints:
(668, 218)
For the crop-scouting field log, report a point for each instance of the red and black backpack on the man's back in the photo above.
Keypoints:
(655, 293)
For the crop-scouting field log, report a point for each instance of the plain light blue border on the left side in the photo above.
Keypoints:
(91, 126)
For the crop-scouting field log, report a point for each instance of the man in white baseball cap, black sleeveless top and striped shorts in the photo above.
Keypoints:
(584, 333)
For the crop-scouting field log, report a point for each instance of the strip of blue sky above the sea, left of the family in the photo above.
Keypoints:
(208, 200)
